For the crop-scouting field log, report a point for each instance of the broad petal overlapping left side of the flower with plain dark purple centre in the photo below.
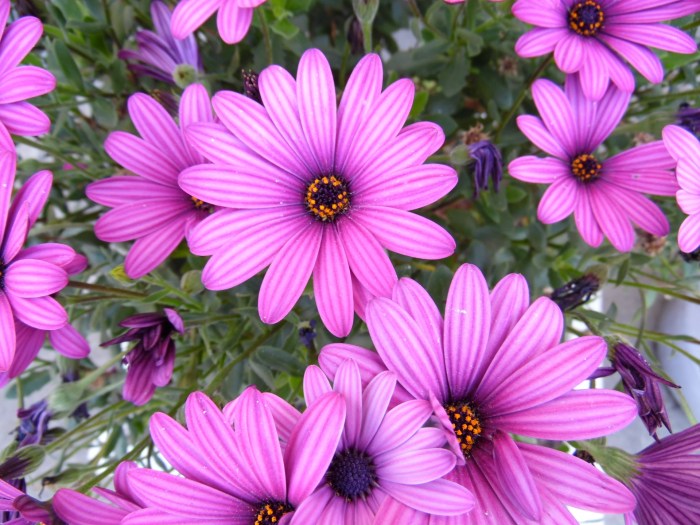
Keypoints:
(312, 446)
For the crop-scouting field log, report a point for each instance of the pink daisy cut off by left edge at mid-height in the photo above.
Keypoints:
(29, 277)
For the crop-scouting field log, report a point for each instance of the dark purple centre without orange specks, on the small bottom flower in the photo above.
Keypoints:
(351, 474)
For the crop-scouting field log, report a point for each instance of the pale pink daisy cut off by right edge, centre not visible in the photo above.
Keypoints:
(685, 149)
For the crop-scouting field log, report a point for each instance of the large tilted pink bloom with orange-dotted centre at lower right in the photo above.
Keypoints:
(494, 366)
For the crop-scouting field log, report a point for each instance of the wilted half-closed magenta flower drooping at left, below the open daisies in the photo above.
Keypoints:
(150, 362)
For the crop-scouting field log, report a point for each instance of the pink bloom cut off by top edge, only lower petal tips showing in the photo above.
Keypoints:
(232, 21)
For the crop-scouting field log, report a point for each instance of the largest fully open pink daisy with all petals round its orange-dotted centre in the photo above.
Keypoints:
(318, 190)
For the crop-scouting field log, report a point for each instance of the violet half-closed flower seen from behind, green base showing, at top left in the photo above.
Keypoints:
(160, 55)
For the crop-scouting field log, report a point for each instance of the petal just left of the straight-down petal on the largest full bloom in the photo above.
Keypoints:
(288, 274)
